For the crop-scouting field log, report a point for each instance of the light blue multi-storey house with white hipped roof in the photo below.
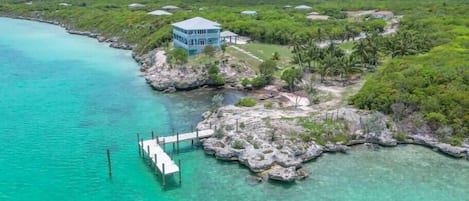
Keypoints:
(196, 33)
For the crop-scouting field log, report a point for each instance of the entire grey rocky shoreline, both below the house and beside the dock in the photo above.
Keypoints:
(269, 142)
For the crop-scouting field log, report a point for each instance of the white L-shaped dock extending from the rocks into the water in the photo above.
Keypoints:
(156, 154)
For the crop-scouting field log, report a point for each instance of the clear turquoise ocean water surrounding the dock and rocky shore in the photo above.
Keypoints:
(65, 99)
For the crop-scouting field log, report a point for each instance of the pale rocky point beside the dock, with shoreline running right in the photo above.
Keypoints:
(269, 141)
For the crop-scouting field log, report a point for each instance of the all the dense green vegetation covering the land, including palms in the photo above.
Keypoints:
(421, 72)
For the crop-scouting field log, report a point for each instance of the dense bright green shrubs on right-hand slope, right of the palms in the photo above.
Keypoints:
(431, 87)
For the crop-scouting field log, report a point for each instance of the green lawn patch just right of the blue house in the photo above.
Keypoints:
(265, 51)
